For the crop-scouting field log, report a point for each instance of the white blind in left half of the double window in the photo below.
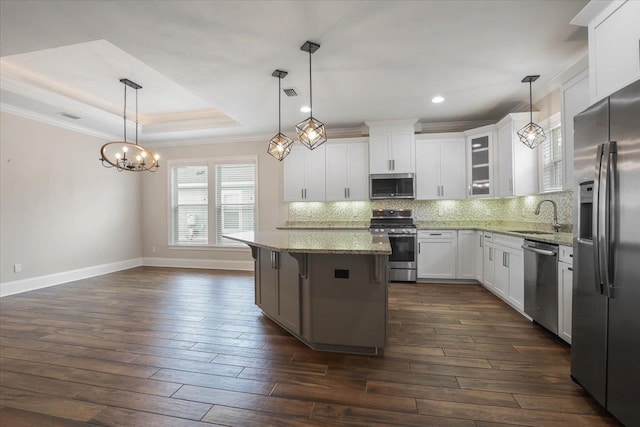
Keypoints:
(189, 205)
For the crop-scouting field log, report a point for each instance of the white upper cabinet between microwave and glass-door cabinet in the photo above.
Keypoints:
(440, 166)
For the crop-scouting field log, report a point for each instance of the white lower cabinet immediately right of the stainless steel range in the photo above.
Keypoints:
(437, 254)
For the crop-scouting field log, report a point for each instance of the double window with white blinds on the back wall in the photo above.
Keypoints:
(232, 187)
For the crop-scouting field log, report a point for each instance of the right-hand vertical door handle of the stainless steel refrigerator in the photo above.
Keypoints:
(610, 226)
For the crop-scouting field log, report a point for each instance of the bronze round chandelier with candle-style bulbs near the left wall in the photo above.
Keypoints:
(127, 156)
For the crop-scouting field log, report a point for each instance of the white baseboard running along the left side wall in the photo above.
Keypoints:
(24, 285)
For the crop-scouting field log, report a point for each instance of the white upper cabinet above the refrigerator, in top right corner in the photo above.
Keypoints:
(614, 56)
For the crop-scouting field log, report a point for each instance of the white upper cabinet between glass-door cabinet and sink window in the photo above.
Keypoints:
(517, 170)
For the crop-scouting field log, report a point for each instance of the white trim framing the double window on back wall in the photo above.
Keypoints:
(211, 162)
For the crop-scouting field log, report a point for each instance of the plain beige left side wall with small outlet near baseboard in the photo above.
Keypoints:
(60, 210)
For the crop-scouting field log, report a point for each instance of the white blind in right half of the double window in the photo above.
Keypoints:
(235, 200)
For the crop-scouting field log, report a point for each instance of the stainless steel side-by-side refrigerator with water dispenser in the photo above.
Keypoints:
(605, 349)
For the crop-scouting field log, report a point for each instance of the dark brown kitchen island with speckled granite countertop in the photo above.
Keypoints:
(326, 288)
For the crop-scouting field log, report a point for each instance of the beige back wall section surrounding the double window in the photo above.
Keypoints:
(271, 210)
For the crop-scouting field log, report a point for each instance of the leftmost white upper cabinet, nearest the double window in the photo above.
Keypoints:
(304, 174)
